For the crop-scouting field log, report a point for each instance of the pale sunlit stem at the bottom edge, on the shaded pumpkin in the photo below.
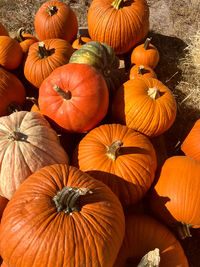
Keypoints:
(151, 259)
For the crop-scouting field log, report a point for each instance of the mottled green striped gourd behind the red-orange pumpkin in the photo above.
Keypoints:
(102, 57)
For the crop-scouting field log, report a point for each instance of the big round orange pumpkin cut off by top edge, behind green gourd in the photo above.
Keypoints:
(118, 23)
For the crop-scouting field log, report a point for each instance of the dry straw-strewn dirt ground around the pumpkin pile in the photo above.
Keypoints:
(173, 27)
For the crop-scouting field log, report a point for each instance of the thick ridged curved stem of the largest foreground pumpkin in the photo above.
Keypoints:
(67, 199)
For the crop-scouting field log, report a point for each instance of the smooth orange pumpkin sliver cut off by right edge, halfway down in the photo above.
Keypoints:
(191, 144)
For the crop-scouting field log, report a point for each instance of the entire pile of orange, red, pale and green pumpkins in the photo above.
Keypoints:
(82, 171)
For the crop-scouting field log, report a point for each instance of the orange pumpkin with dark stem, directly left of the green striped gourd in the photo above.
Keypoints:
(44, 57)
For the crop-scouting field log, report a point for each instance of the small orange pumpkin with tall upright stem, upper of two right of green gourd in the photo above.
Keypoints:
(145, 54)
